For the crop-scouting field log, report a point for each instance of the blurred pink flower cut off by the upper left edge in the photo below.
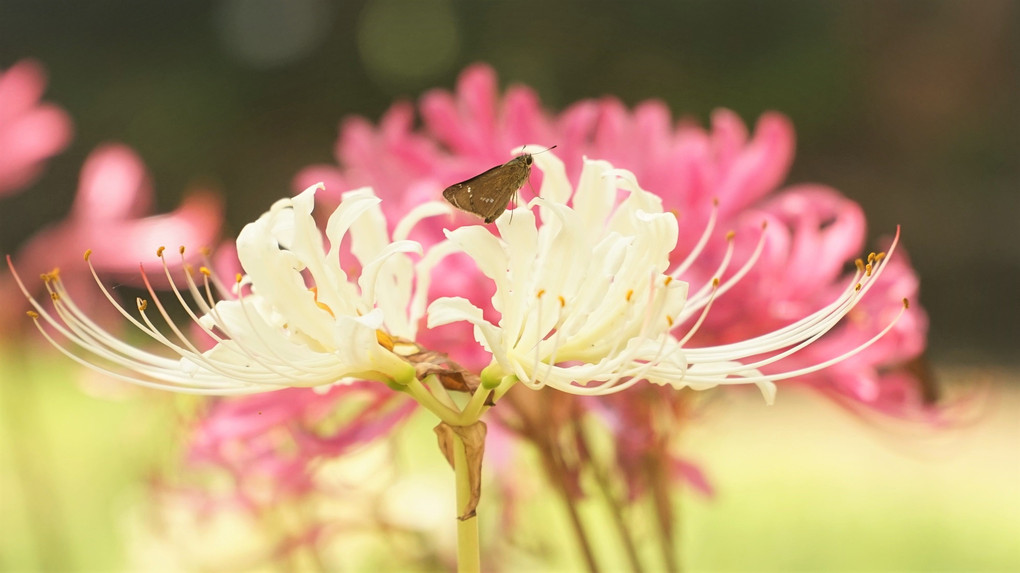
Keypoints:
(31, 132)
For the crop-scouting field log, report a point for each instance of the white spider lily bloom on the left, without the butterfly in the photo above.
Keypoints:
(302, 323)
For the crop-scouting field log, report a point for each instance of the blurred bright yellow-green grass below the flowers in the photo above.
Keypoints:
(802, 486)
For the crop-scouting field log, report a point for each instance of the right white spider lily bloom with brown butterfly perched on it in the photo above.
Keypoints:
(589, 305)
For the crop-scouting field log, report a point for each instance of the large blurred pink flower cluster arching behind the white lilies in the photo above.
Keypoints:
(813, 231)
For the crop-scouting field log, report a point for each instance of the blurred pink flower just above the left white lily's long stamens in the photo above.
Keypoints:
(111, 214)
